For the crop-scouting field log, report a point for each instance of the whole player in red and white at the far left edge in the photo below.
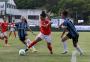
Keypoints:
(4, 27)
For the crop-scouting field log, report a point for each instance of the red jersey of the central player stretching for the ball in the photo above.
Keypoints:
(45, 30)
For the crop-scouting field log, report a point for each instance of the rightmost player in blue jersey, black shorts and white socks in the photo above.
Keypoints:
(67, 25)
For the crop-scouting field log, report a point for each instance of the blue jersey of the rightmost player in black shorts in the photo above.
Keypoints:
(70, 27)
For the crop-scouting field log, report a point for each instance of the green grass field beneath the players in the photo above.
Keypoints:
(10, 54)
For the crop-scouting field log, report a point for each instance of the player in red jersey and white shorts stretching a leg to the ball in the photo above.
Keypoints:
(45, 32)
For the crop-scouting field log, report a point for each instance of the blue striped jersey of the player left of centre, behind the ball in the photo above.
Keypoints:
(22, 27)
